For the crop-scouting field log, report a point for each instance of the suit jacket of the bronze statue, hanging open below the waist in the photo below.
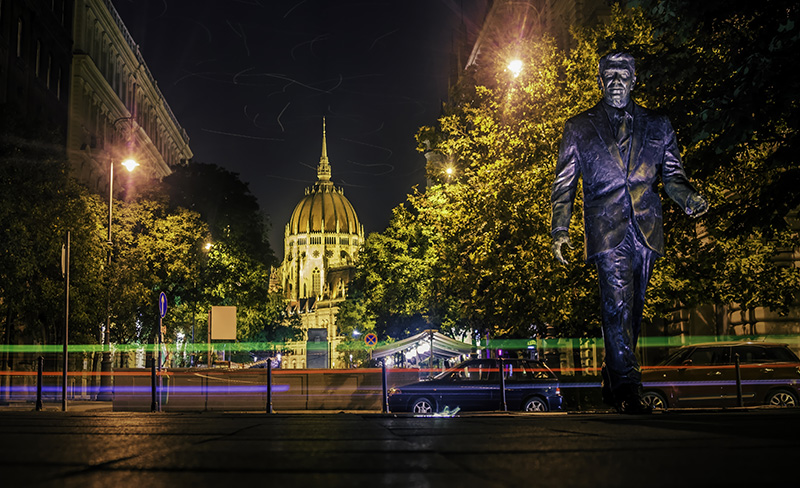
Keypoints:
(617, 192)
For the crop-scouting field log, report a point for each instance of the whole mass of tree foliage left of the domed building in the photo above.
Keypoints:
(157, 245)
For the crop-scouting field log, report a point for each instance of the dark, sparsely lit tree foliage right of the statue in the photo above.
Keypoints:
(720, 71)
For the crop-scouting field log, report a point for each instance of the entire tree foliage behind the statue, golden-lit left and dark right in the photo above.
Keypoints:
(484, 225)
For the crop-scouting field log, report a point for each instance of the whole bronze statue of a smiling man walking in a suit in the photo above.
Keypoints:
(621, 150)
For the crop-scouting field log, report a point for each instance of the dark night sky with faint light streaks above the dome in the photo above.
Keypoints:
(250, 81)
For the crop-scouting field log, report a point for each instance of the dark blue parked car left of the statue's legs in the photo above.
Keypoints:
(476, 385)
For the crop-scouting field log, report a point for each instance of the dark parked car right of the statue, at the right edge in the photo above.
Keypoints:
(704, 375)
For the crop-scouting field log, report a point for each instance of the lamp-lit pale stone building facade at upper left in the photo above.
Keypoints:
(116, 109)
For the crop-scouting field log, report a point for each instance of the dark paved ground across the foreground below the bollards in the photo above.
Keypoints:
(754, 447)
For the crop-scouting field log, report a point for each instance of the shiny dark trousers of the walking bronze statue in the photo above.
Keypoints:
(624, 273)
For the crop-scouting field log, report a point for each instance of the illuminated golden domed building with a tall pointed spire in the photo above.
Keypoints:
(321, 243)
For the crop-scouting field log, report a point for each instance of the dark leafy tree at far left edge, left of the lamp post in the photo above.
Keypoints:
(38, 204)
